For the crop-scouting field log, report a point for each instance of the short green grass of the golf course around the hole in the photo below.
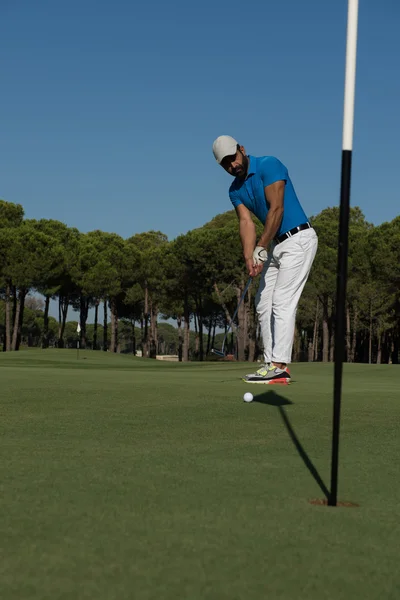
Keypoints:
(126, 478)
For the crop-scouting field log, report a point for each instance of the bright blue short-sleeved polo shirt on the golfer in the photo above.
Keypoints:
(263, 171)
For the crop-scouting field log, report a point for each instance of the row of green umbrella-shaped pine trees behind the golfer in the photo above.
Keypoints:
(195, 280)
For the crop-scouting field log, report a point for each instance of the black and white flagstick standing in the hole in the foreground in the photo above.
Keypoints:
(340, 328)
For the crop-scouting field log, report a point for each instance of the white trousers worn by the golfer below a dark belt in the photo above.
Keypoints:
(282, 281)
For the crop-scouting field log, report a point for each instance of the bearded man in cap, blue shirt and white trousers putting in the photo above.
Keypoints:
(283, 254)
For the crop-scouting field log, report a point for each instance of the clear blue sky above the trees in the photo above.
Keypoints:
(109, 109)
